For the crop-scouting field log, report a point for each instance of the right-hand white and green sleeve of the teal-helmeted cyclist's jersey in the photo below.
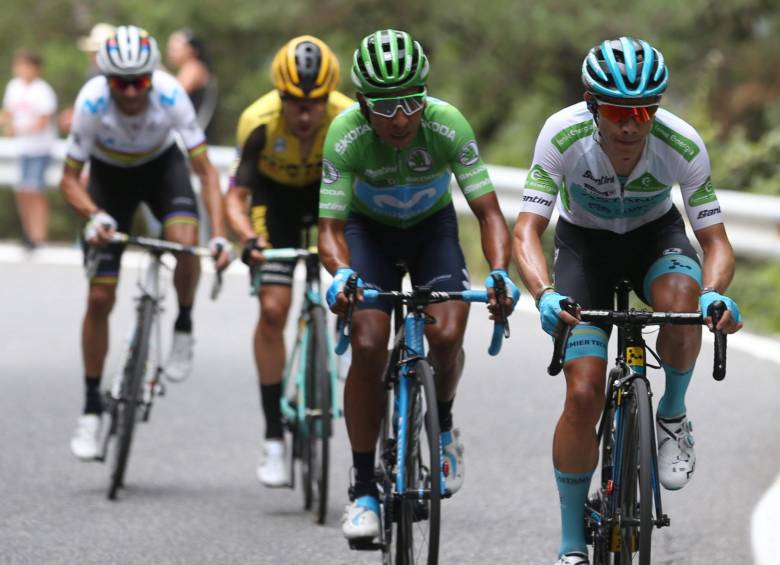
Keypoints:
(699, 198)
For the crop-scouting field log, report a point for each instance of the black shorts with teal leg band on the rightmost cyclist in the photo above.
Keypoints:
(589, 263)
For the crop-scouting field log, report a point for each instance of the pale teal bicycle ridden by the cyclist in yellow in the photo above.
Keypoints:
(310, 380)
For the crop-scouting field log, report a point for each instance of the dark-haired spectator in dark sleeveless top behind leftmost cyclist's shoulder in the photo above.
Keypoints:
(187, 53)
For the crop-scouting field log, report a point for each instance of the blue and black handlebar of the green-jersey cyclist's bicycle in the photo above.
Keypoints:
(415, 297)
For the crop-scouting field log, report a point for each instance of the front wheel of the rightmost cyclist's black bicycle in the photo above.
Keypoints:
(636, 489)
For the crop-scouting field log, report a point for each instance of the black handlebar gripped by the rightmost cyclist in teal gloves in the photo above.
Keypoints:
(639, 318)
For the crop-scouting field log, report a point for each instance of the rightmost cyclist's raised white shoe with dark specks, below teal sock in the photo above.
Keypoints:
(676, 457)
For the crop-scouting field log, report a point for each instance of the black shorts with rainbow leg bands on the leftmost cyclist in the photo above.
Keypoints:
(163, 184)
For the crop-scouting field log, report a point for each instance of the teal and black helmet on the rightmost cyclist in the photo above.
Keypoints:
(625, 68)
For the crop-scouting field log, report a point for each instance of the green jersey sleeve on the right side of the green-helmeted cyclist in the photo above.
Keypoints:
(466, 162)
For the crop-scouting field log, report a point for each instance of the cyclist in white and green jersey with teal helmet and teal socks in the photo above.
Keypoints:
(611, 163)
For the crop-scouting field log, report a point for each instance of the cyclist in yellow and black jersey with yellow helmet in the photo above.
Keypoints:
(280, 139)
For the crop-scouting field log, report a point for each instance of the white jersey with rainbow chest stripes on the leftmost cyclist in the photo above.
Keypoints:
(100, 130)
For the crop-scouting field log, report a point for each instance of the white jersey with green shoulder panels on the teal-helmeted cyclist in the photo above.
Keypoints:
(569, 161)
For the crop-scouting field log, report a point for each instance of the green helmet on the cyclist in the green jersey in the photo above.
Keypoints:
(388, 60)
